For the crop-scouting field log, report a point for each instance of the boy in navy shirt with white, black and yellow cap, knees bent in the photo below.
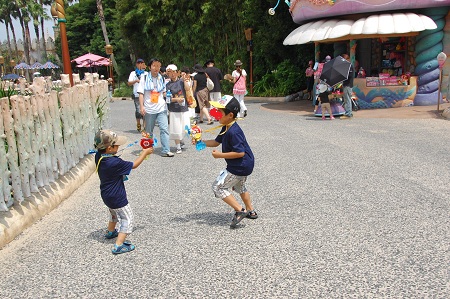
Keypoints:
(239, 158)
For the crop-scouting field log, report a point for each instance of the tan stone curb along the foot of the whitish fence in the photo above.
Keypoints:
(25, 214)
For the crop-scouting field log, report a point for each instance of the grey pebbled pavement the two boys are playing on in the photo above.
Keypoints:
(348, 209)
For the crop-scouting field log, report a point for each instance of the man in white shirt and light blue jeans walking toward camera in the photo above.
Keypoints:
(152, 89)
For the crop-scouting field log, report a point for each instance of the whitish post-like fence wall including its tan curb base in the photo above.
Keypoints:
(45, 139)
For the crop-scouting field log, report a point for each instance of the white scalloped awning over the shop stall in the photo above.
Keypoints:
(387, 25)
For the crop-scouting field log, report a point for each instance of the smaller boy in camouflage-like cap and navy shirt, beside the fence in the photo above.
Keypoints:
(112, 172)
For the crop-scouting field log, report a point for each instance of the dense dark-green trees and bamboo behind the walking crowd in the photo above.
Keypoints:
(189, 32)
